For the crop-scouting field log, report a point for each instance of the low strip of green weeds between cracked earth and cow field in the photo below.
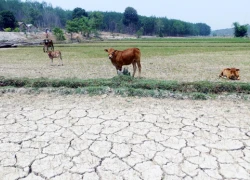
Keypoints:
(126, 85)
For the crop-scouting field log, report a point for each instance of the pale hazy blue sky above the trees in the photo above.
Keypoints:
(218, 14)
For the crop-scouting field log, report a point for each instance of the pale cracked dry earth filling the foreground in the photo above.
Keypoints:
(49, 136)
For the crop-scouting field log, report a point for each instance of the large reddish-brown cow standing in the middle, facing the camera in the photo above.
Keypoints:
(125, 57)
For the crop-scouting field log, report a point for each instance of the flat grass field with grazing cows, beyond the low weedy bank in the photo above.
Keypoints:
(179, 59)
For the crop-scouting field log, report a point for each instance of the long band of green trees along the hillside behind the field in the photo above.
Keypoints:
(43, 15)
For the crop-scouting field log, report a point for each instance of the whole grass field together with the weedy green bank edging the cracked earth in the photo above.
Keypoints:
(182, 65)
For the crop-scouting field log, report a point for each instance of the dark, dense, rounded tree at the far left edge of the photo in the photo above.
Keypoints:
(7, 20)
